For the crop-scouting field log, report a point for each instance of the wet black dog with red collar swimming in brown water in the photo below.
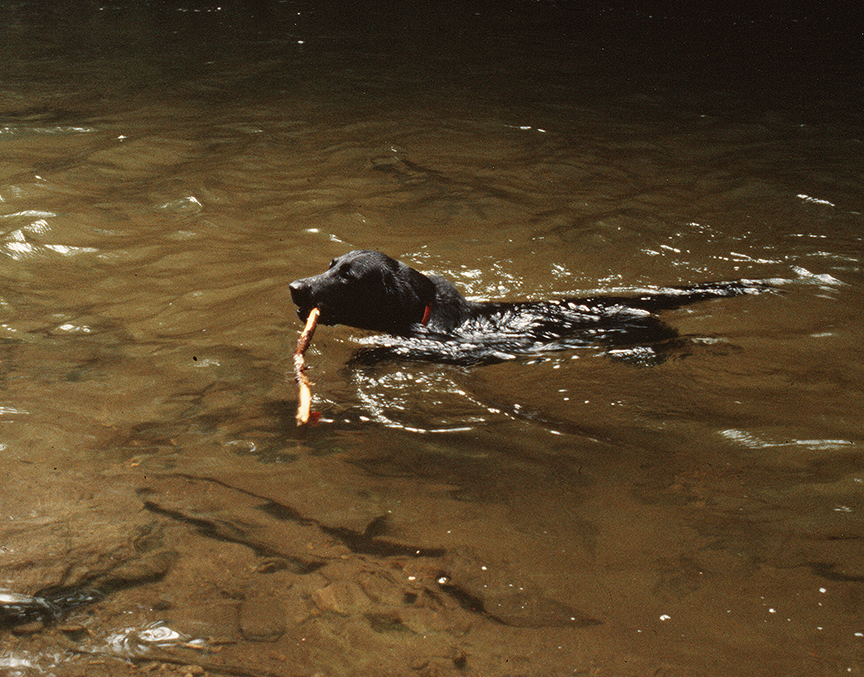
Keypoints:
(369, 290)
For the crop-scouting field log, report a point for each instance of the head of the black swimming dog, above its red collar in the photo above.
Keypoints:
(367, 290)
